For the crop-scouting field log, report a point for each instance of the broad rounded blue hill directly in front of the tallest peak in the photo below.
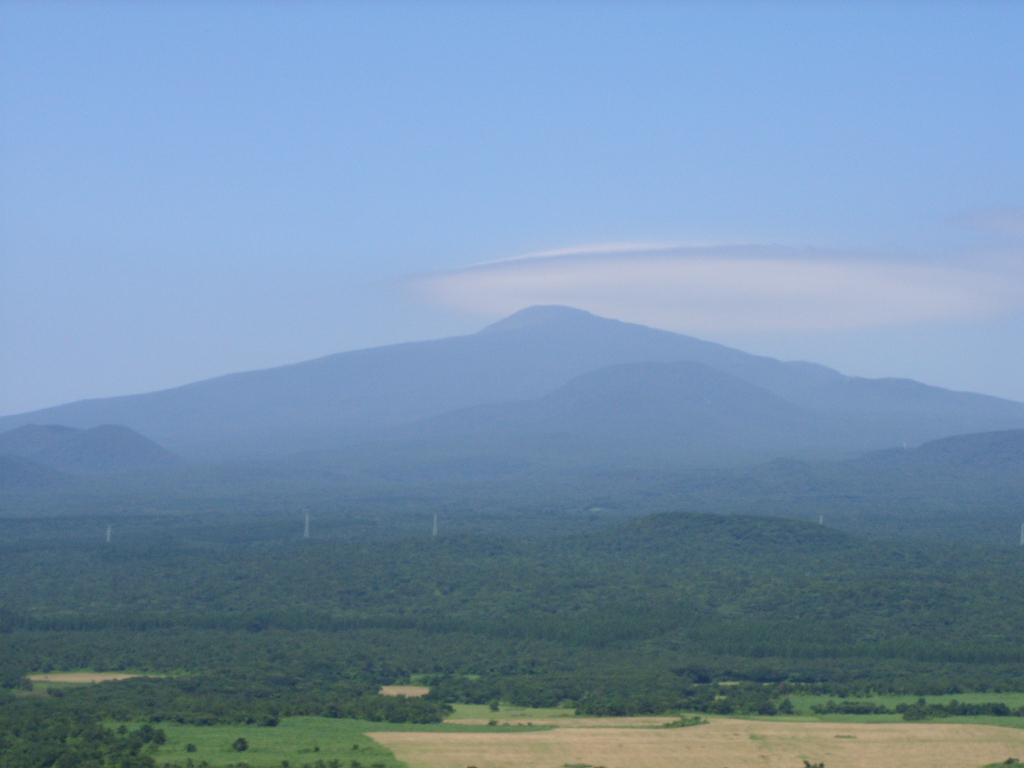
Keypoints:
(636, 416)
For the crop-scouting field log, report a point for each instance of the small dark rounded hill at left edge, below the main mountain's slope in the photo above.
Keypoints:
(108, 448)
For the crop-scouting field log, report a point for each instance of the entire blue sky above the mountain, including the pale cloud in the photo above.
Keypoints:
(195, 189)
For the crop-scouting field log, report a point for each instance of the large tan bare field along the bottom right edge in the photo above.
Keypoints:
(736, 744)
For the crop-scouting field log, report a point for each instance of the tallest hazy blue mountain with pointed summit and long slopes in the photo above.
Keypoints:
(355, 396)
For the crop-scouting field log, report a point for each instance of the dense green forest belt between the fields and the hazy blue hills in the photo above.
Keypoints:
(650, 616)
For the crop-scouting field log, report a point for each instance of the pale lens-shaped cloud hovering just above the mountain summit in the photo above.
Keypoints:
(724, 289)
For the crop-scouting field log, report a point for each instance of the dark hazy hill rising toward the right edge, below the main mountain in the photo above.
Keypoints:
(966, 488)
